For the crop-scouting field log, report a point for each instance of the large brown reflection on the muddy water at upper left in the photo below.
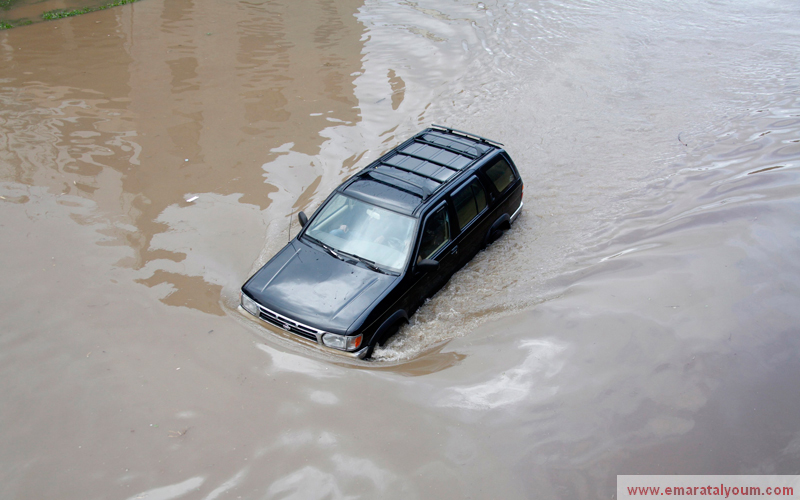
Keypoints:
(145, 132)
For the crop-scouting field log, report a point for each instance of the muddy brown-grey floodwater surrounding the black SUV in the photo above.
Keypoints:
(642, 316)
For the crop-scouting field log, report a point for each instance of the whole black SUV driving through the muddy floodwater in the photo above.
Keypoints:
(386, 239)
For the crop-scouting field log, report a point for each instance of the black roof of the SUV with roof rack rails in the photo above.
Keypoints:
(408, 176)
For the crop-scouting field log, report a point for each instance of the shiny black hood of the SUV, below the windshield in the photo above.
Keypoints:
(313, 287)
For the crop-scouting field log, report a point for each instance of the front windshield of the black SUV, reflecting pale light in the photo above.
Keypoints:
(364, 230)
